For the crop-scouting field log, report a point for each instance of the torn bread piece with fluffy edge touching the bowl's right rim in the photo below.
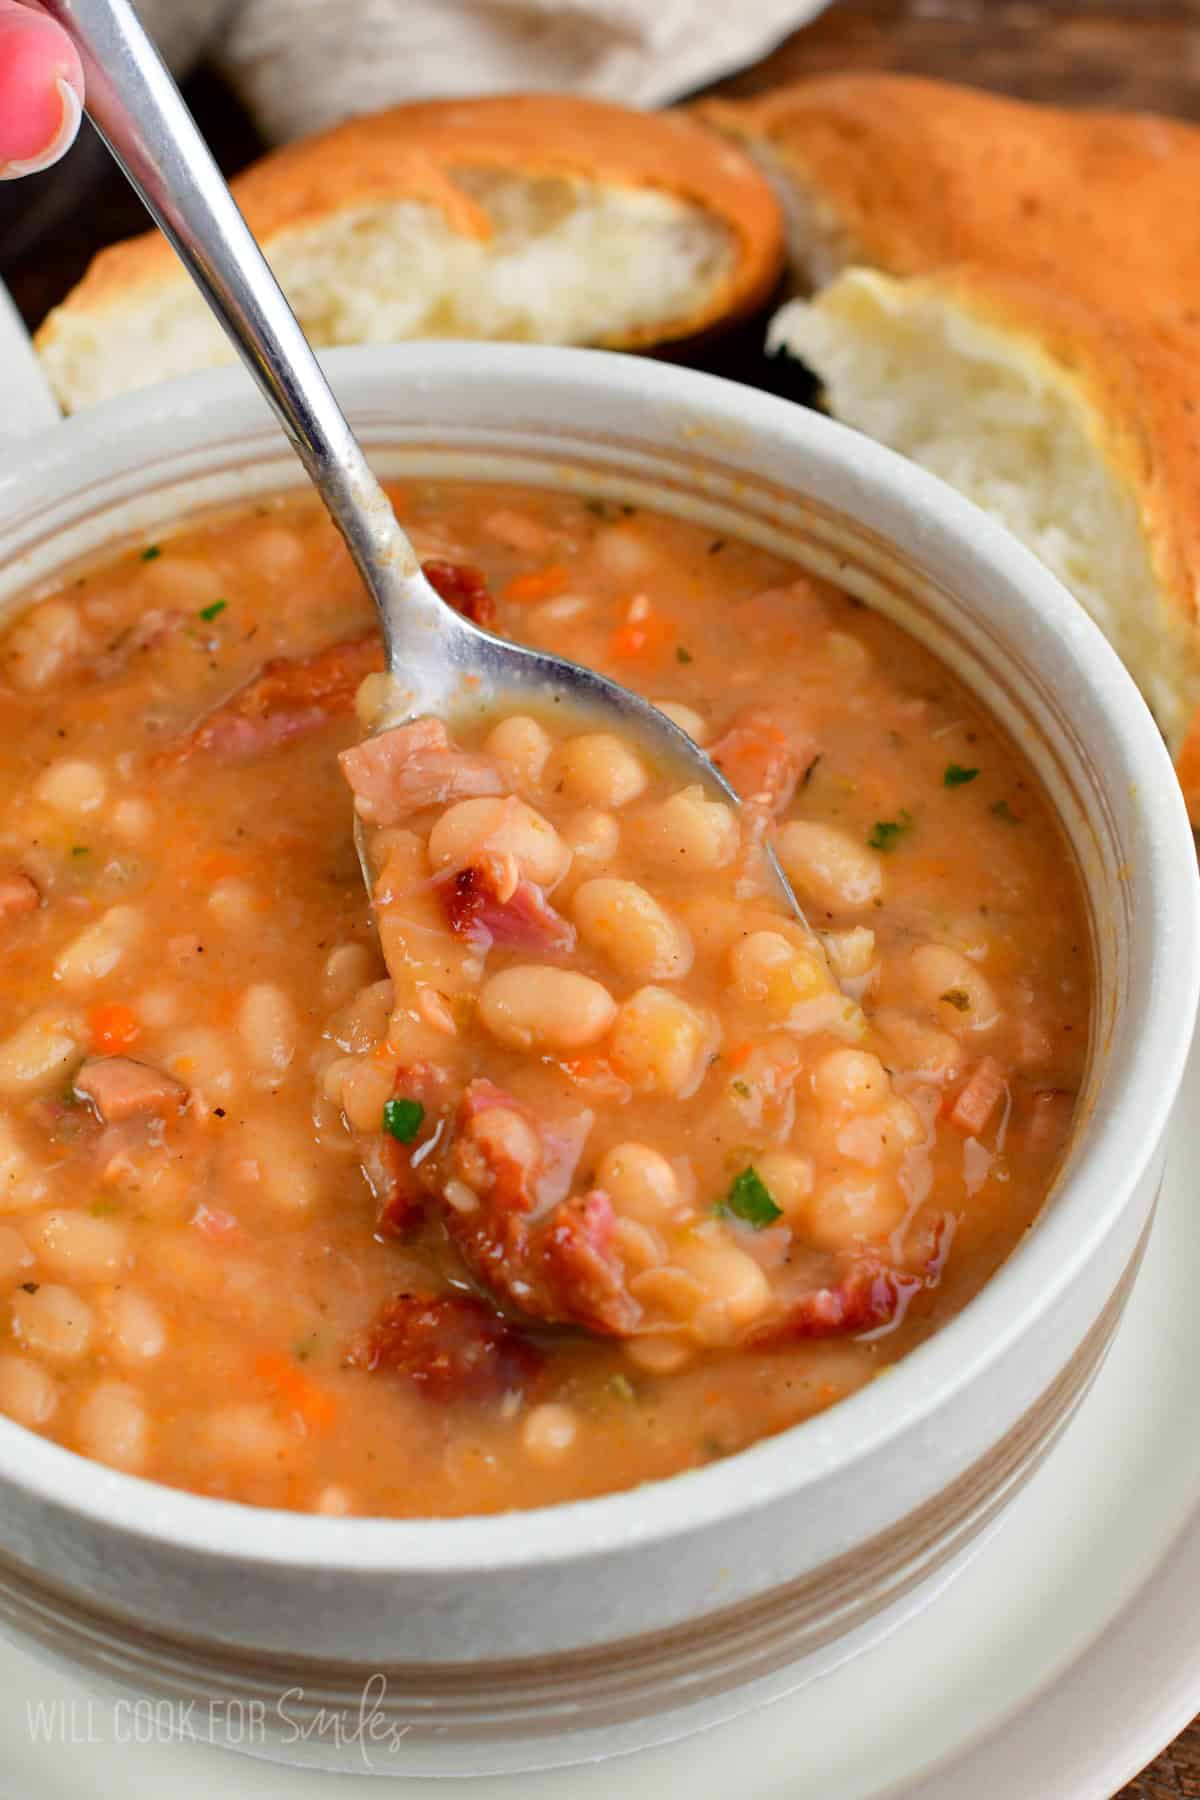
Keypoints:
(1079, 433)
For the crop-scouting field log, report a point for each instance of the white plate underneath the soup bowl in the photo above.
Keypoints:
(1061, 1662)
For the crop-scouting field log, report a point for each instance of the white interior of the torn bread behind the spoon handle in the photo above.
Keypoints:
(568, 262)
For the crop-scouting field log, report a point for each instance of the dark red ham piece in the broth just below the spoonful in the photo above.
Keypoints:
(452, 1347)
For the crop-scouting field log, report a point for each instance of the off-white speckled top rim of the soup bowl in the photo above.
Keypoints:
(1133, 1122)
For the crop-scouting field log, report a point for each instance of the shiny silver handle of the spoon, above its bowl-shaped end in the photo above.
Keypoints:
(139, 112)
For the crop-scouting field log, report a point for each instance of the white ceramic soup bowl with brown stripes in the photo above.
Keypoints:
(577, 1630)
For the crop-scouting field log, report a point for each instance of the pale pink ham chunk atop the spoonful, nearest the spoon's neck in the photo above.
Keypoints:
(415, 766)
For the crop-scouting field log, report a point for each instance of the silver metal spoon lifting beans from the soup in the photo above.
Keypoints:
(438, 660)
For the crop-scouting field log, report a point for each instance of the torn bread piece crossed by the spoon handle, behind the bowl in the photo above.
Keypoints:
(542, 219)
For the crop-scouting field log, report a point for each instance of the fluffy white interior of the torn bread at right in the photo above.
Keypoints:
(1010, 427)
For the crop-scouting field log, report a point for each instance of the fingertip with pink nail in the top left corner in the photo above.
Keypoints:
(40, 91)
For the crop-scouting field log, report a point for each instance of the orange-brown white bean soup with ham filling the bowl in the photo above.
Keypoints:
(569, 1158)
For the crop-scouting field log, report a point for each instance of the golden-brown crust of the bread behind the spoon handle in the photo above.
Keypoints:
(411, 154)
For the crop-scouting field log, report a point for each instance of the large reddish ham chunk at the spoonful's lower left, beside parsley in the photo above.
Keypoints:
(548, 1257)
